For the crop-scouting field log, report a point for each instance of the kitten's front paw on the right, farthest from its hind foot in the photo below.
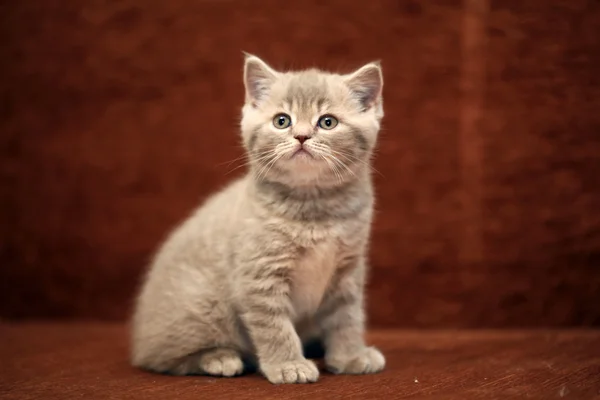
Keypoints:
(368, 360)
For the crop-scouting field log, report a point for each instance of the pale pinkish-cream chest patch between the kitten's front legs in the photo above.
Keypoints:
(312, 275)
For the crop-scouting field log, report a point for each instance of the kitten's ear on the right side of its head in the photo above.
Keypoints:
(366, 84)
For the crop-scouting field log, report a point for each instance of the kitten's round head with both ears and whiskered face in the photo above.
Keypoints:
(310, 127)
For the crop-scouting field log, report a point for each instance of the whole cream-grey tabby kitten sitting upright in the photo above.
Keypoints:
(279, 256)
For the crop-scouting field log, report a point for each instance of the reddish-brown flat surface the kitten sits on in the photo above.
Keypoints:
(54, 361)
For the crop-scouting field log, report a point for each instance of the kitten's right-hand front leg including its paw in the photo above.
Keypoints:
(342, 319)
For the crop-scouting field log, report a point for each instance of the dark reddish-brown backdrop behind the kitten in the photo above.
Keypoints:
(119, 117)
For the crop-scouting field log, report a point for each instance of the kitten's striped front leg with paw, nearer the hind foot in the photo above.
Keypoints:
(265, 309)
